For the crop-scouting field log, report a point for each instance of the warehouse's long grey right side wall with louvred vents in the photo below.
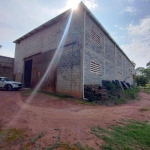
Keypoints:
(114, 65)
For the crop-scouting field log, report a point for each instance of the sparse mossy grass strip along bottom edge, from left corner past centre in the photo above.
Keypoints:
(12, 138)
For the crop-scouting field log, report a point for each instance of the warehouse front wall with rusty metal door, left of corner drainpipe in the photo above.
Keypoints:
(68, 60)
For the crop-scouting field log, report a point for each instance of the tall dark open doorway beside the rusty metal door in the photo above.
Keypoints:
(27, 73)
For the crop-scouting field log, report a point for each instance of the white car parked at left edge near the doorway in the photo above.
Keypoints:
(8, 84)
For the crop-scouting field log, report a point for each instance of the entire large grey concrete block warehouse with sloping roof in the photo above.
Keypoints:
(88, 55)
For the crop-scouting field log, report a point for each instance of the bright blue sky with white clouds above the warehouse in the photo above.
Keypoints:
(127, 21)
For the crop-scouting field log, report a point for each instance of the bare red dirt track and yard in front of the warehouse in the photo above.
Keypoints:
(64, 118)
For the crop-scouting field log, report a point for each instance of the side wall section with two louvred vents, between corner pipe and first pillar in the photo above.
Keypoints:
(93, 53)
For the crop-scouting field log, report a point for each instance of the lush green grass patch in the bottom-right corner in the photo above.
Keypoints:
(128, 135)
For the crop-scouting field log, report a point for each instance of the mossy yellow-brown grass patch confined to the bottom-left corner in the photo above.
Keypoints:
(11, 138)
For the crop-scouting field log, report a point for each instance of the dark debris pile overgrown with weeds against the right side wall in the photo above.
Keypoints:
(110, 94)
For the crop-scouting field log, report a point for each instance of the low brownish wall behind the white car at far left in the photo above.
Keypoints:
(6, 67)
